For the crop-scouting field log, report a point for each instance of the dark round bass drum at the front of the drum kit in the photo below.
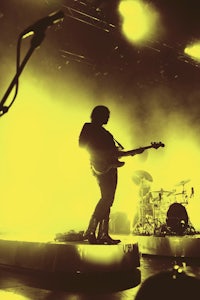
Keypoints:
(177, 218)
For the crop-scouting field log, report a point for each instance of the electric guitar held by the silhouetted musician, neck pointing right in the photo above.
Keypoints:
(102, 165)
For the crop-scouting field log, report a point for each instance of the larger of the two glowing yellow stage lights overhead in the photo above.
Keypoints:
(138, 20)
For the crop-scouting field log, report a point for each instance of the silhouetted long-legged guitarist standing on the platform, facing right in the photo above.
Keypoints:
(102, 148)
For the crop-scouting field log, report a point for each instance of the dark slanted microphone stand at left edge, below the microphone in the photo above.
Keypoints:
(35, 42)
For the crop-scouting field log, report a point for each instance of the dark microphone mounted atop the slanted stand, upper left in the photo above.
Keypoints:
(44, 23)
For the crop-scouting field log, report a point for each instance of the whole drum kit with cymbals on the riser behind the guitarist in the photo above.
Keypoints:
(162, 212)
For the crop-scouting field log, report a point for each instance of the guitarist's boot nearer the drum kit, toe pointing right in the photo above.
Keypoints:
(103, 236)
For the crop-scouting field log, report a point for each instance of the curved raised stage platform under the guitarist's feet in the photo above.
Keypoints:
(72, 265)
